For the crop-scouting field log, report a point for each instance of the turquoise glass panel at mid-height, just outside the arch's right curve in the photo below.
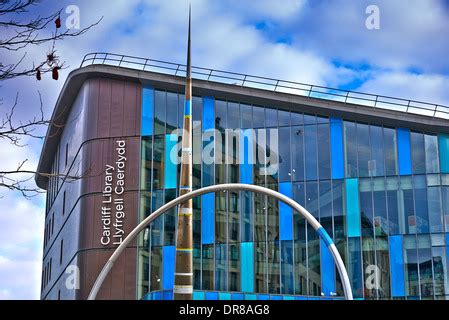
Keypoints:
(352, 207)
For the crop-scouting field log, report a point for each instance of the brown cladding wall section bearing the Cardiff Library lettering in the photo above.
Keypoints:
(116, 111)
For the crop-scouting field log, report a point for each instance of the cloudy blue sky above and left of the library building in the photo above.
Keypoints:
(312, 41)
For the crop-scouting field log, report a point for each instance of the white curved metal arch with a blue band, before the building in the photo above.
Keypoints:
(227, 187)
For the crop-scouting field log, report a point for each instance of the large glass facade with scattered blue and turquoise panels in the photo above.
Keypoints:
(380, 192)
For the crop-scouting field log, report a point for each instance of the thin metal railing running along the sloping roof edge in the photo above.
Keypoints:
(276, 85)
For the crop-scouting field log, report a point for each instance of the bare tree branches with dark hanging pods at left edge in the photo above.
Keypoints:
(19, 30)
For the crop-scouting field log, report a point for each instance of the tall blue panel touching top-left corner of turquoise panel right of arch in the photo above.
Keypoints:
(338, 164)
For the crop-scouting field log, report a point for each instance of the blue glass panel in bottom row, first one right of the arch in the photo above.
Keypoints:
(397, 266)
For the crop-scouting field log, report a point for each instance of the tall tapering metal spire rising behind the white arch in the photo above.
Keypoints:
(183, 286)
